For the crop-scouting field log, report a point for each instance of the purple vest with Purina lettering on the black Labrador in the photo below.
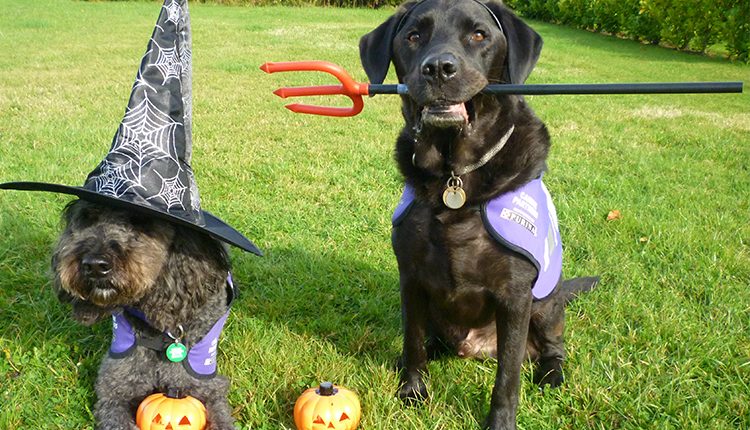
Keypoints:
(523, 220)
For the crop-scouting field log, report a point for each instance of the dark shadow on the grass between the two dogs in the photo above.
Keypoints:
(340, 299)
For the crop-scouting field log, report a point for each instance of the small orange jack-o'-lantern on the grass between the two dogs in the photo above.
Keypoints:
(327, 407)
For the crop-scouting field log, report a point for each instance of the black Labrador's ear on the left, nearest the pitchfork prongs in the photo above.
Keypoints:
(376, 47)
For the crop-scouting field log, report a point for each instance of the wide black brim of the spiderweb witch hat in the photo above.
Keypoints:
(214, 227)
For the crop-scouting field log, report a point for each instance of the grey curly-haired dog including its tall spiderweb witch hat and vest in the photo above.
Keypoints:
(138, 246)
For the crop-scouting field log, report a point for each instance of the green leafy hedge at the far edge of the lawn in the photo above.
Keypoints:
(692, 25)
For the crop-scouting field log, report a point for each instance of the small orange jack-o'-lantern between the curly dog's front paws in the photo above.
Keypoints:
(172, 411)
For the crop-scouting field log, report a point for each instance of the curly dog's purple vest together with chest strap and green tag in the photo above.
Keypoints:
(199, 359)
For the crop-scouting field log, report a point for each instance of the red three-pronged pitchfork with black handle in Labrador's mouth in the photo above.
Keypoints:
(355, 90)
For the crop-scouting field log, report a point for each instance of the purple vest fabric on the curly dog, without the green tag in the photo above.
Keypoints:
(201, 358)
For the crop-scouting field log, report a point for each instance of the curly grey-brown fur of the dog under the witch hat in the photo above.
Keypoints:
(184, 282)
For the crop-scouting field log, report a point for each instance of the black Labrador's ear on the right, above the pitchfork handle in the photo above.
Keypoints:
(524, 44)
